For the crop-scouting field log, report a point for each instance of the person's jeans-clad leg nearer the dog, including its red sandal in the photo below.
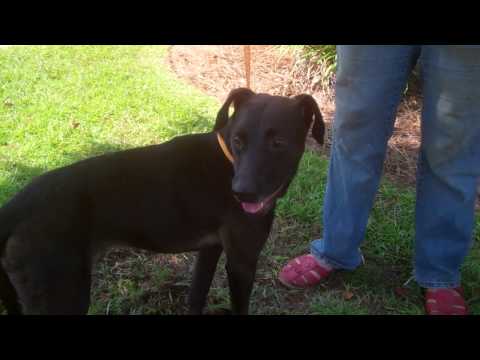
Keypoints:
(369, 85)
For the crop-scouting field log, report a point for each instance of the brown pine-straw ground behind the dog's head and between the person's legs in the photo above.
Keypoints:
(217, 69)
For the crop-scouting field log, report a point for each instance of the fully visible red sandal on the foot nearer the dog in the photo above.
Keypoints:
(302, 272)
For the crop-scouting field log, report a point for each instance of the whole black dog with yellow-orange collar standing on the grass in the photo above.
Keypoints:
(209, 192)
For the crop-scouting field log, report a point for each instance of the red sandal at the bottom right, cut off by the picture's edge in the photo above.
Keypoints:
(445, 301)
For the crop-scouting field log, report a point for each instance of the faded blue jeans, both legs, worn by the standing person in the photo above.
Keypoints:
(370, 83)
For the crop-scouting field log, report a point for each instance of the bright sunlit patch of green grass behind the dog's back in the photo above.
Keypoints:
(60, 104)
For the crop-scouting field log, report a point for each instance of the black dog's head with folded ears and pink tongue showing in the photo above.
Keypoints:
(266, 136)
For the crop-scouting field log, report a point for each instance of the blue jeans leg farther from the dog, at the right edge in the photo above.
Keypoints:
(449, 163)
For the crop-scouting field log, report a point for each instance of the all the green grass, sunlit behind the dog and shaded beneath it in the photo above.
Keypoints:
(62, 104)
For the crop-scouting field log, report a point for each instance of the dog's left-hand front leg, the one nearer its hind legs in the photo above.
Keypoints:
(205, 266)
